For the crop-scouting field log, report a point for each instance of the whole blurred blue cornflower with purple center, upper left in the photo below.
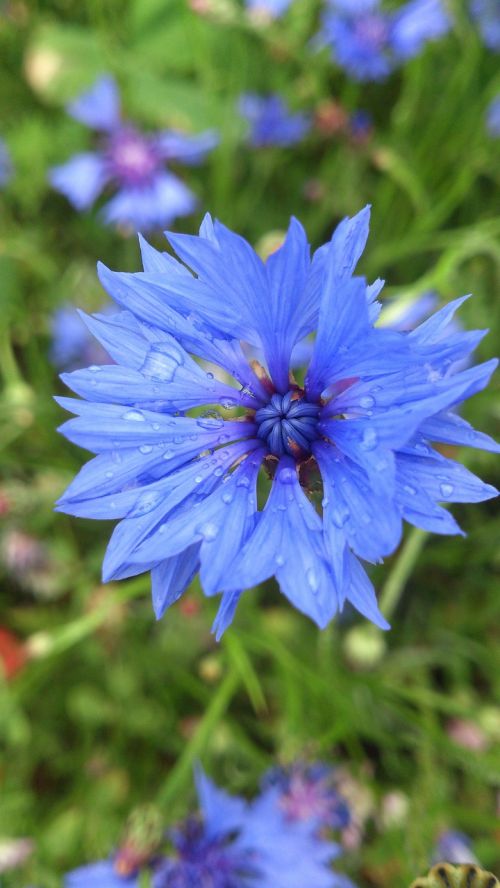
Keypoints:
(132, 162)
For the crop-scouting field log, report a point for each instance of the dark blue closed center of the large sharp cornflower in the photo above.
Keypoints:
(288, 424)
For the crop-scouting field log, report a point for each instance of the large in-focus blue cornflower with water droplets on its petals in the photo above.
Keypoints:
(347, 450)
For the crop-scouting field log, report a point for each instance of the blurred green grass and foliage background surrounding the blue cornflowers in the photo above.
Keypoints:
(102, 708)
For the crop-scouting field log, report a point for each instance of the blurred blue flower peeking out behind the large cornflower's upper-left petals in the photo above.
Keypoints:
(72, 345)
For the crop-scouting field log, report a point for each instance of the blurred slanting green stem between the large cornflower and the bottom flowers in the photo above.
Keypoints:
(180, 774)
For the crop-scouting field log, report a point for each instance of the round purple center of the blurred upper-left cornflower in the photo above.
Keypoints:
(132, 157)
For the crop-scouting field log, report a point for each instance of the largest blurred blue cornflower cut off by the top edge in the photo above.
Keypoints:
(369, 42)
